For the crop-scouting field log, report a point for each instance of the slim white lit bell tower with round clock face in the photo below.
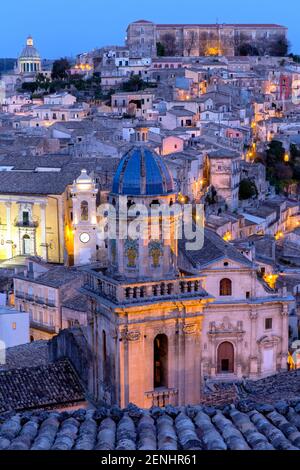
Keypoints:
(83, 195)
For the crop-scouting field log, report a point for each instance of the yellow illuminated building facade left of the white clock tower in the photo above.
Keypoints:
(36, 226)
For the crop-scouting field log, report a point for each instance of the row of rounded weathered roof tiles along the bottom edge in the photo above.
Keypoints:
(260, 427)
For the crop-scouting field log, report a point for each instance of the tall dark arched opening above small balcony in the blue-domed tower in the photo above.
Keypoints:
(160, 361)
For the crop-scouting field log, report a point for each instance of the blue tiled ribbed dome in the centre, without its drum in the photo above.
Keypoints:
(142, 172)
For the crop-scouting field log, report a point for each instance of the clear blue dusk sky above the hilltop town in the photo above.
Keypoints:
(67, 27)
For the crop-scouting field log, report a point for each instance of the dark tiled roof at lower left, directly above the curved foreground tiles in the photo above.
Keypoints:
(43, 386)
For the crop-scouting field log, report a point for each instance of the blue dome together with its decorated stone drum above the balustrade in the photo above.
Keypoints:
(143, 178)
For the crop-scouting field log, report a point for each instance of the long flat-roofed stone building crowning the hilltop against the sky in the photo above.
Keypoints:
(205, 39)
